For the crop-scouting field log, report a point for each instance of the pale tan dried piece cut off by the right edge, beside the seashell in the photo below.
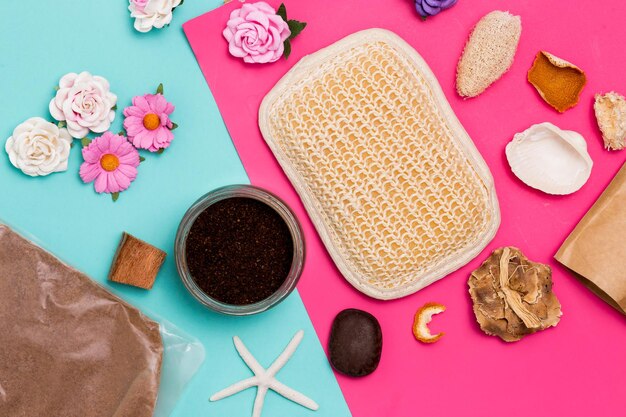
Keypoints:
(610, 111)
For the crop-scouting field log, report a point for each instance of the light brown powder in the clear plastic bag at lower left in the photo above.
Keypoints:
(69, 348)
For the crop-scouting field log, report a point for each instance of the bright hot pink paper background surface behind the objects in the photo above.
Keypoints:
(575, 369)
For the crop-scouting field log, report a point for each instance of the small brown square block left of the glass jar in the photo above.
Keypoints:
(136, 262)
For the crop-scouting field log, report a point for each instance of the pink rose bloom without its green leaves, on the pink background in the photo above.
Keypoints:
(256, 33)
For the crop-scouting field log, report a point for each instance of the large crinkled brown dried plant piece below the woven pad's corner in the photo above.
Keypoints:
(513, 296)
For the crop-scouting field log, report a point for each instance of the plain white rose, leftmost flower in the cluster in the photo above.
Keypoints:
(39, 147)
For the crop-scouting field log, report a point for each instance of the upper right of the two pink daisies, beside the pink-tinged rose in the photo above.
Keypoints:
(147, 122)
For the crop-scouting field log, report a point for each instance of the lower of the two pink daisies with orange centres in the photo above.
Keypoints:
(110, 161)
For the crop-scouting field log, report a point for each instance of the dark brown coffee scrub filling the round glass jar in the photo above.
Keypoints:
(239, 251)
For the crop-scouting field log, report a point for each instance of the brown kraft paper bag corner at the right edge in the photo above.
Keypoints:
(596, 249)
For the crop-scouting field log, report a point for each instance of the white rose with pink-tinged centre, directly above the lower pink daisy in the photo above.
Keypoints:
(85, 103)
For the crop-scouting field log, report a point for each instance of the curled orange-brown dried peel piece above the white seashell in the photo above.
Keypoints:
(557, 81)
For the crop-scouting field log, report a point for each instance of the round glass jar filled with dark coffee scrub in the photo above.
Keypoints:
(239, 250)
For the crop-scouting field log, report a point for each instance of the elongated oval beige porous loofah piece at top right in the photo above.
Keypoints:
(489, 52)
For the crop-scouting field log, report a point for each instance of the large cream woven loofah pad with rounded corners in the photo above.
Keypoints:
(392, 182)
